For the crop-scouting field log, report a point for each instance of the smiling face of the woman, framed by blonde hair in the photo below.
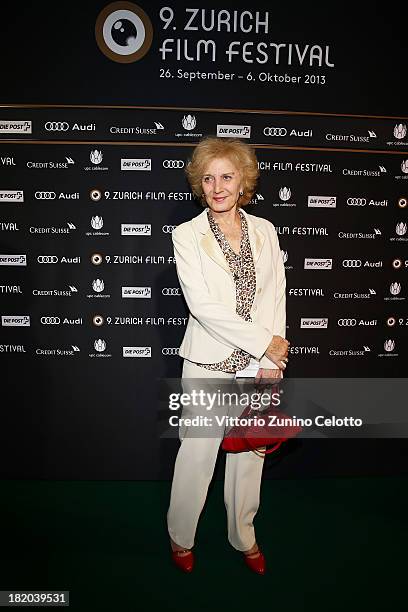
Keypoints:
(221, 184)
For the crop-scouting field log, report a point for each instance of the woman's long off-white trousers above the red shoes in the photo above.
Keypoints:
(193, 471)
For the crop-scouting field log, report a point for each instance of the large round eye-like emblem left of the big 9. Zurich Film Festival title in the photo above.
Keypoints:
(123, 32)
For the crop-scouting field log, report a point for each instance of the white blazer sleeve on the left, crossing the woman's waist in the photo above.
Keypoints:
(222, 324)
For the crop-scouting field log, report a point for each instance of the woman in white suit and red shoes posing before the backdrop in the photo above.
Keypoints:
(231, 272)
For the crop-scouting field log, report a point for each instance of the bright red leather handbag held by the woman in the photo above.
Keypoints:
(244, 437)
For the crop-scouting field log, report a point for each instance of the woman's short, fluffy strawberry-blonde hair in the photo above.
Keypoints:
(239, 153)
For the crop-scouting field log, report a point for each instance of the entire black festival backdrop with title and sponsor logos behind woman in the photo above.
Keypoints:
(92, 182)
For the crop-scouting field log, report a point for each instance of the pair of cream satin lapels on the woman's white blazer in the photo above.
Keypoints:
(210, 245)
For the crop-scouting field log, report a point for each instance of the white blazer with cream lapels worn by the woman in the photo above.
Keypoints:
(214, 329)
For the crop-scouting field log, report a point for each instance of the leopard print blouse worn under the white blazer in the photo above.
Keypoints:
(243, 270)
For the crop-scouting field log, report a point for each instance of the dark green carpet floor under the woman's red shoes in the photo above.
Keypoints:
(330, 544)
